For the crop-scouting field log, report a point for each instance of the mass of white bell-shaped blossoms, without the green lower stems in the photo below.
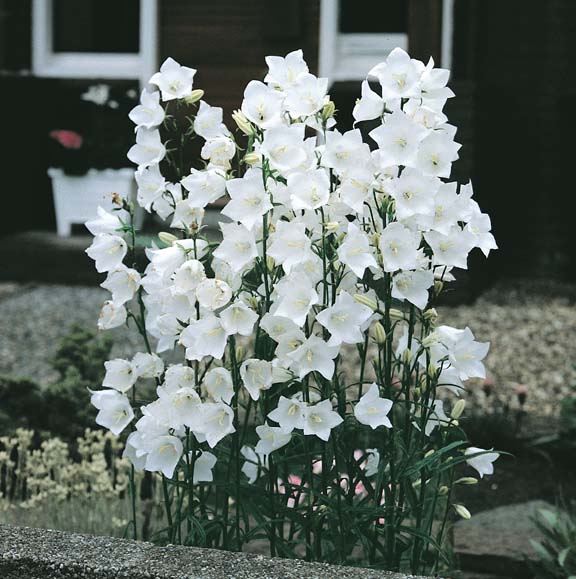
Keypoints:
(319, 220)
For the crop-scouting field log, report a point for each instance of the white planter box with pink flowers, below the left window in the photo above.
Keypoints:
(77, 197)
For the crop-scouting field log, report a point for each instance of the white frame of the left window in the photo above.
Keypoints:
(97, 65)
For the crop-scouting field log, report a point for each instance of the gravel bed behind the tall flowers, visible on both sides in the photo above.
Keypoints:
(532, 330)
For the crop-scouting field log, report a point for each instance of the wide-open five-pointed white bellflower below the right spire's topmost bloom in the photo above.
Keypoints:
(398, 139)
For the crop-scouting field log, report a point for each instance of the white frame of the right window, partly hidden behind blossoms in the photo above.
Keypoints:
(349, 57)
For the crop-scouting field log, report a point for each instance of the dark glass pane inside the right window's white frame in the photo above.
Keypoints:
(373, 16)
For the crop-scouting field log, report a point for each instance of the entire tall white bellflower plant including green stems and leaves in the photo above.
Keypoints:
(338, 248)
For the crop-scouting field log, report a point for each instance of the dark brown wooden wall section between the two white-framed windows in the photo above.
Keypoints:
(227, 40)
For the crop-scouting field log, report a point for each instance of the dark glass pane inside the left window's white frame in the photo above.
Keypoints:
(96, 26)
